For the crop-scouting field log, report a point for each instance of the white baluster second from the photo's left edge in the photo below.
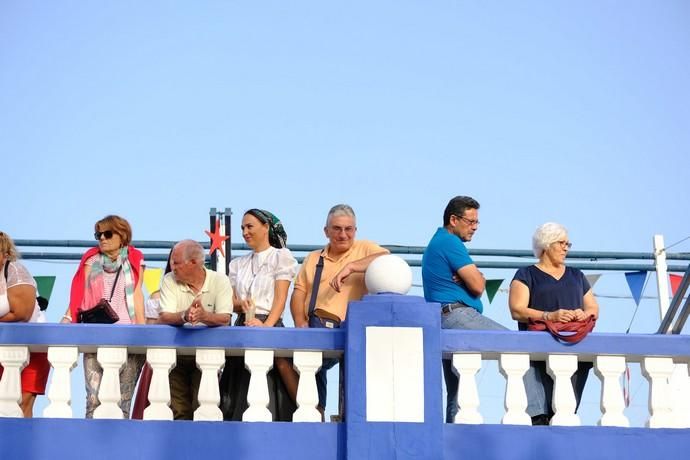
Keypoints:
(63, 360)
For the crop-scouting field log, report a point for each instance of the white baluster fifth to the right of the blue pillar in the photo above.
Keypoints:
(658, 371)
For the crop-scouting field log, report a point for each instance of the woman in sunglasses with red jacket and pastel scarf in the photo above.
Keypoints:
(113, 271)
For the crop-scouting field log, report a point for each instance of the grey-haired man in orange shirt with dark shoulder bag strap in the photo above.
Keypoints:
(341, 279)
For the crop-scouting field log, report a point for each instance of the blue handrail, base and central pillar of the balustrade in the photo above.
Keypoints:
(391, 343)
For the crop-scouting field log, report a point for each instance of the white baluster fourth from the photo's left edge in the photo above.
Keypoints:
(161, 361)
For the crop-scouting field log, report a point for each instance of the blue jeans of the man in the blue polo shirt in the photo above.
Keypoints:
(470, 319)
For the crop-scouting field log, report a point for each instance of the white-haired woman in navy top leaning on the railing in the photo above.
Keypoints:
(550, 290)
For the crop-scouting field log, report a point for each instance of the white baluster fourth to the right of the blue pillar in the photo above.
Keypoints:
(609, 370)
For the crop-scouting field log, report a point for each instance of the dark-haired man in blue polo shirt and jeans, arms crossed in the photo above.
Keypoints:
(451, 278)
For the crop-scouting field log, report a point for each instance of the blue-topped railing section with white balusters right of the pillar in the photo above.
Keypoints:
(663, 359)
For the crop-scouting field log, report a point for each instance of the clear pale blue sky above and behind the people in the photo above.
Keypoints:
(577, 112)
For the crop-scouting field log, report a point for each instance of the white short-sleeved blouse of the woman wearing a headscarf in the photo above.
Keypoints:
(254, 275)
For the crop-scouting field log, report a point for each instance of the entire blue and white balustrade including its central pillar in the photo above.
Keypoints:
(392, 348)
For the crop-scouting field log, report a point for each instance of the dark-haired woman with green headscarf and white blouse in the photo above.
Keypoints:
(260, 282)
